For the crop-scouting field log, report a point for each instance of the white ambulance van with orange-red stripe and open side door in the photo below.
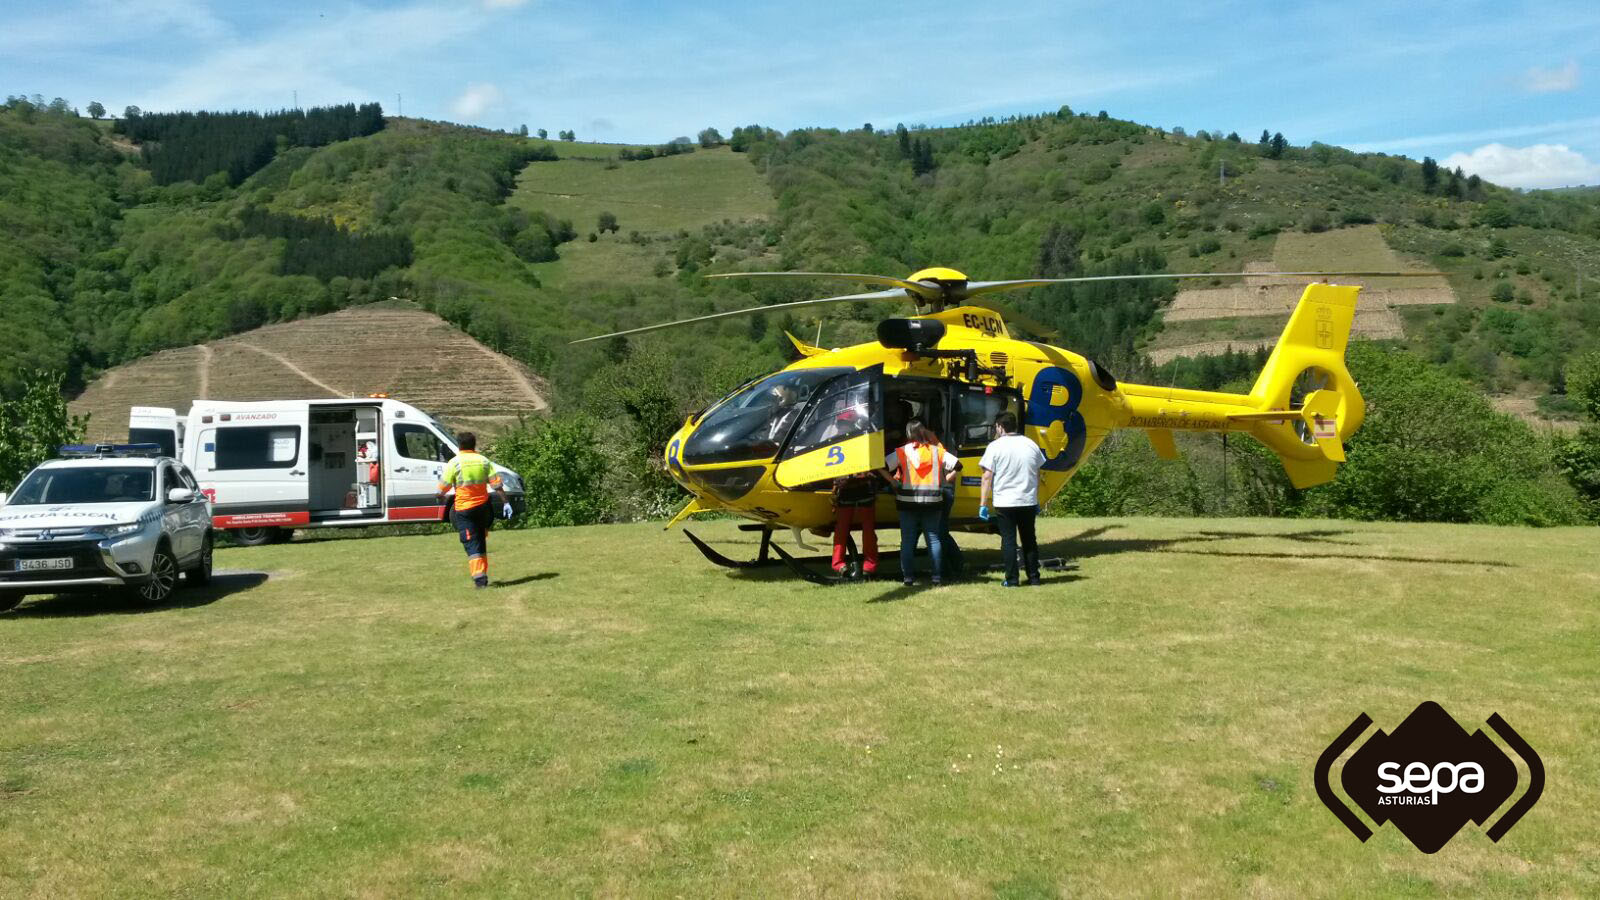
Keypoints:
(273, 467)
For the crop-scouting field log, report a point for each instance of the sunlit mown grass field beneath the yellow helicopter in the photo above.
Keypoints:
(620, 718)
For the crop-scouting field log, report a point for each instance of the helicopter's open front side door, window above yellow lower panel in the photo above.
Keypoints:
(839, 435)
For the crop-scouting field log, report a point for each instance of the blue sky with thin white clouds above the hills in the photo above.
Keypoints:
(1510, 90)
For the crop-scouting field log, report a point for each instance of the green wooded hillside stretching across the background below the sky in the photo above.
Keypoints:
(494, 231)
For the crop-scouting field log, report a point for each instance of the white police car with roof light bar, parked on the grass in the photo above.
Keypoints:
(105, 516)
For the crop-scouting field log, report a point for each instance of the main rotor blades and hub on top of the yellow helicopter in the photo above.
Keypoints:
(937, 289)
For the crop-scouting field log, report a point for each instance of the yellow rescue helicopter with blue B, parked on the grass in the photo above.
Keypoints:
(772, 449)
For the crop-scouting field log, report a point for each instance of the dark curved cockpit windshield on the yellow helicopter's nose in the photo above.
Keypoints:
(753, 424)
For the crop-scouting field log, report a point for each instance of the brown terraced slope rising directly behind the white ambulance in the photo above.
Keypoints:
(407, 353)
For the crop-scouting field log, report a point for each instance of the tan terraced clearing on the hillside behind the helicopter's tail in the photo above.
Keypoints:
(1250, 315)
